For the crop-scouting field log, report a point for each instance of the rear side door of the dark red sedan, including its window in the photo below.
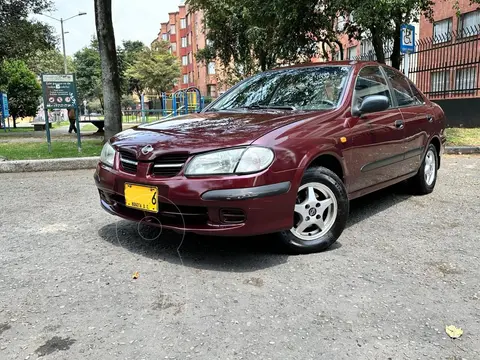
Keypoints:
(417, 116)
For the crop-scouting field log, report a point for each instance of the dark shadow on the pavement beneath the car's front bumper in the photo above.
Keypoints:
(208, 253)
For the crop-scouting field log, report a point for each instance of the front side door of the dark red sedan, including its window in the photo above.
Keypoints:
(378, 138)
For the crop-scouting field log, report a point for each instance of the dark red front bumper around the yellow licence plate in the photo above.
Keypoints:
(224, 206)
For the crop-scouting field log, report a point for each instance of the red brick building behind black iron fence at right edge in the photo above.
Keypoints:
(448, 51)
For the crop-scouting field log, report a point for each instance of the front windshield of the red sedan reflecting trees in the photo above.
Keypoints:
(312, 88)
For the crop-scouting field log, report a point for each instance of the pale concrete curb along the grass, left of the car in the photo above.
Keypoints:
(48, 165)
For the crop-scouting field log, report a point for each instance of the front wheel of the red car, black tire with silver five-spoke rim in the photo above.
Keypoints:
(320, 213)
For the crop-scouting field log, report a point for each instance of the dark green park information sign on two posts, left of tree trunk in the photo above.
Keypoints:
(60, 92)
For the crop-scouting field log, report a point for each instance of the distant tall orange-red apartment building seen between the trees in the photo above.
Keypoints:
(186, 34)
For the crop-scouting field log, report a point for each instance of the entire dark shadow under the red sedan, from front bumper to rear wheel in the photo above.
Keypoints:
(243, 254)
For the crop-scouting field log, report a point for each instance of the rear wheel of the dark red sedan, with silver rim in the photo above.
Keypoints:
(424, 182)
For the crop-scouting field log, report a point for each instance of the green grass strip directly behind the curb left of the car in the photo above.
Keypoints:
(60, 149)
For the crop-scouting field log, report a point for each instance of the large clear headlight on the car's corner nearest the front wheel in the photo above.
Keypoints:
(234, 161)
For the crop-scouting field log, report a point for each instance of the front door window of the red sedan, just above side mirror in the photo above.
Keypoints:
(370, 81)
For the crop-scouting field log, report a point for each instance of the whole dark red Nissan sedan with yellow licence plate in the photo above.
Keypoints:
(282, 152)
